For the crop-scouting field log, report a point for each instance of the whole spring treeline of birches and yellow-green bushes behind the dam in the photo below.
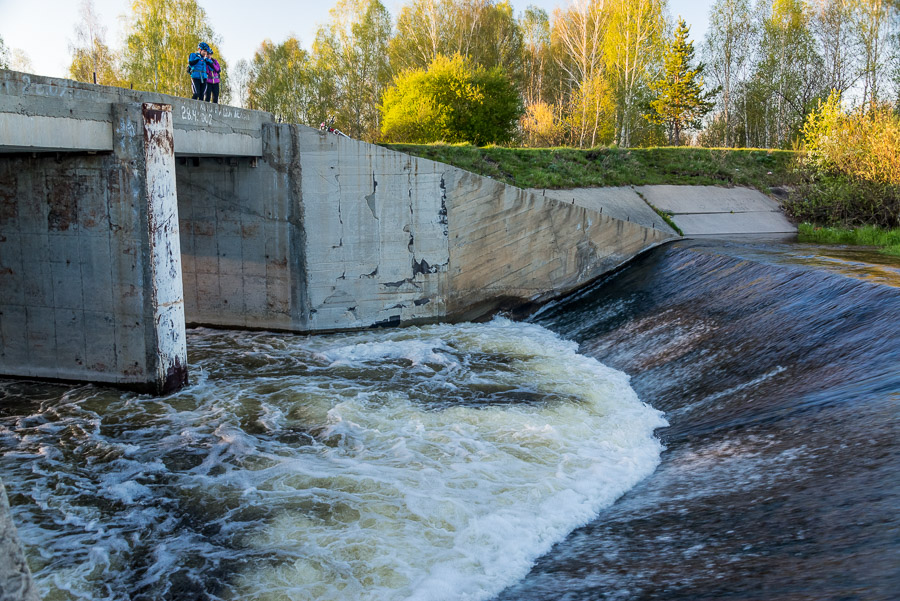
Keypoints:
(586, 75)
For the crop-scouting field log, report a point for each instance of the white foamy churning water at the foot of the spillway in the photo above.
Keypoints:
(419, 463)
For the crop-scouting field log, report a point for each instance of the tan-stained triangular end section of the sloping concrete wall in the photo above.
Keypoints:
(507, 243)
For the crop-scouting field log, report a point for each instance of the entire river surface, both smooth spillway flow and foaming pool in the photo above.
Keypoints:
(715, 421)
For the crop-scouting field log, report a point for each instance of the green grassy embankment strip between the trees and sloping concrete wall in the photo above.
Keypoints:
(558, 168)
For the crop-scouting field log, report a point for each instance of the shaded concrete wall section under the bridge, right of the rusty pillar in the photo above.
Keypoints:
(241, 238)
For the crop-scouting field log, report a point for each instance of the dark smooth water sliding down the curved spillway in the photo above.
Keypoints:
(778, 368)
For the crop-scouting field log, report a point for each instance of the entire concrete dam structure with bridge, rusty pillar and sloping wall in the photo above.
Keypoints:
(126, 216)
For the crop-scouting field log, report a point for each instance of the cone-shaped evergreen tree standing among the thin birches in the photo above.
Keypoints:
(680, 101)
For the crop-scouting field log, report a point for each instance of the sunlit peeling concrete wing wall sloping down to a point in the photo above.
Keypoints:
(395, 239)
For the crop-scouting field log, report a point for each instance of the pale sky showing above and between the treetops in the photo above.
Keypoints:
(45, 29)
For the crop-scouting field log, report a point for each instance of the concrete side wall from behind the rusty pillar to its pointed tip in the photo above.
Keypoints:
(327, 233)
